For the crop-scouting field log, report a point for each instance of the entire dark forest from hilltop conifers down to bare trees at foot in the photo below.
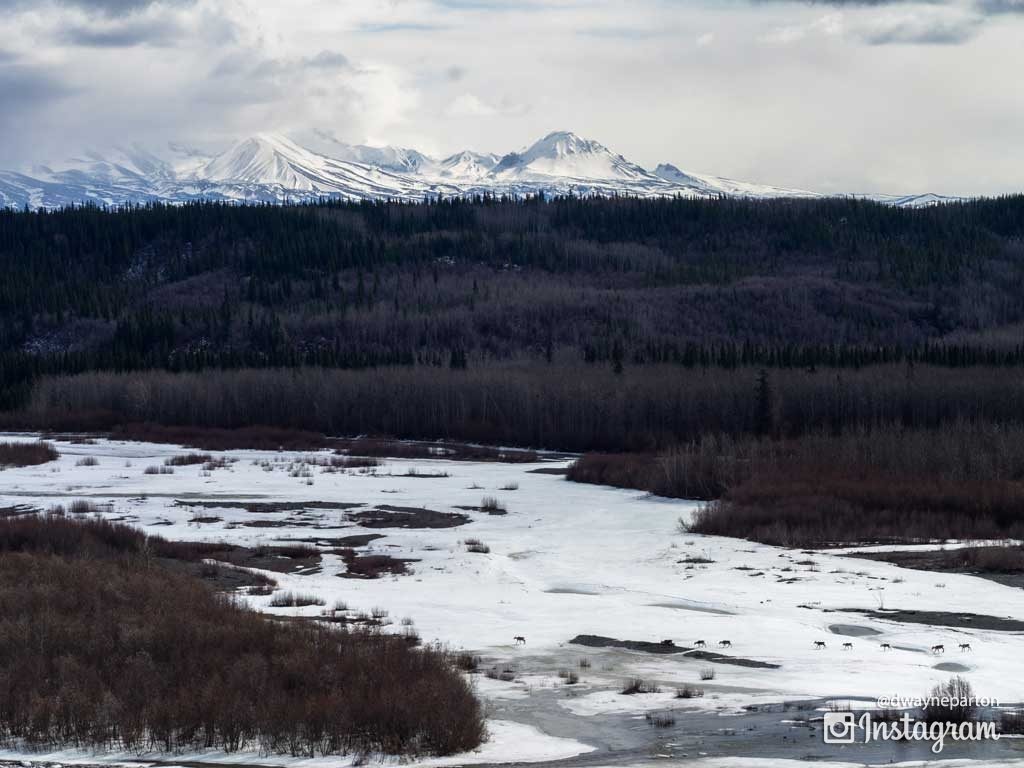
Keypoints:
(580, 324)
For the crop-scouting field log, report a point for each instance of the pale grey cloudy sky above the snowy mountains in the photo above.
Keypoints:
(866, 96)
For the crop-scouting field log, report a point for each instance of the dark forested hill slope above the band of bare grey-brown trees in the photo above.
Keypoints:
(458, 283)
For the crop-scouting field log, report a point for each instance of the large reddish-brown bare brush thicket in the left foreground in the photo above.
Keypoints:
(103, 649)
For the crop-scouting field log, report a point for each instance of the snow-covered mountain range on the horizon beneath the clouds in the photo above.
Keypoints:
(272, 168)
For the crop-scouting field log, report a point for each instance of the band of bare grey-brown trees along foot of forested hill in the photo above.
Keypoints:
(570, 408)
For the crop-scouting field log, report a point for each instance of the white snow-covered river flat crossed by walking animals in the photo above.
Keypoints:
(568, 560)
